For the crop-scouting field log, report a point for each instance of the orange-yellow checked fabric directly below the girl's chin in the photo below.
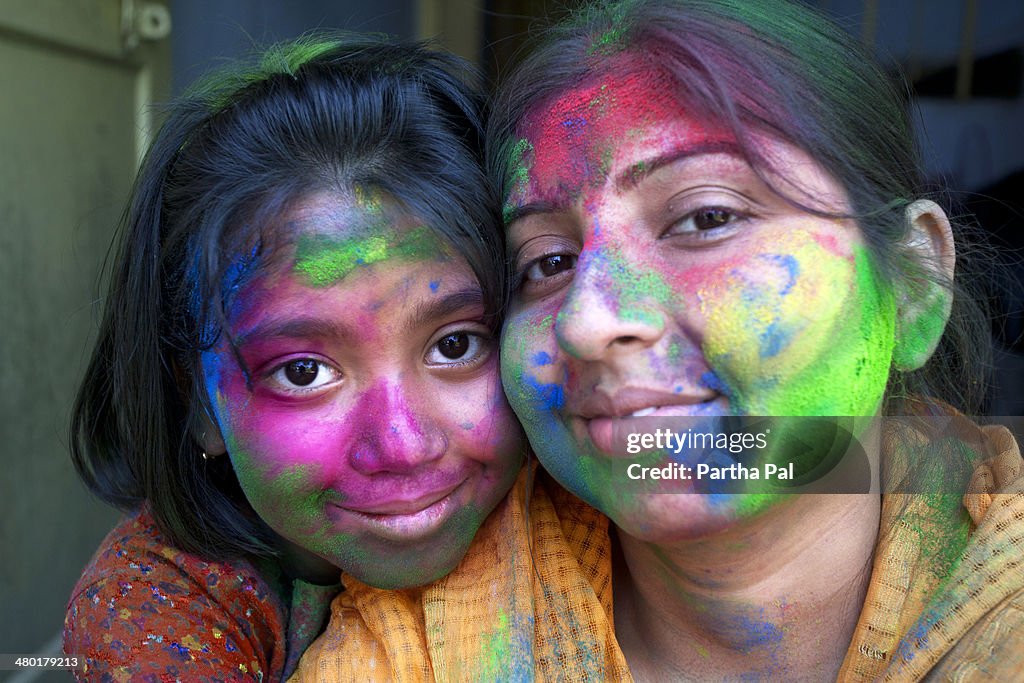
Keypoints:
(513, 611)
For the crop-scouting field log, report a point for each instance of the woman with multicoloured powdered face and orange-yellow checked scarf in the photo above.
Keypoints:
(714, 209)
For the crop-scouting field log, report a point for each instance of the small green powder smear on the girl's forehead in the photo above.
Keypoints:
(326, 260)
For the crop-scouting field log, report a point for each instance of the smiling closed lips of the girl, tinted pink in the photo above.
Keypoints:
(405, 521)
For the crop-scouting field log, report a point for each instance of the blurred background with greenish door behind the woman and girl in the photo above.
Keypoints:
(78, 78)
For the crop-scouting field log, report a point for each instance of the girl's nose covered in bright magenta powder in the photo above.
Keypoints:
(395, 434)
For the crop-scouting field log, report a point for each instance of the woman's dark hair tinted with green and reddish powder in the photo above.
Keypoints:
(781, 69)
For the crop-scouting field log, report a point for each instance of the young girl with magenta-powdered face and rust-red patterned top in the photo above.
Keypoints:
(295, 374)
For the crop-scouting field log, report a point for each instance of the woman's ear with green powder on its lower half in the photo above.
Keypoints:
(924, 298)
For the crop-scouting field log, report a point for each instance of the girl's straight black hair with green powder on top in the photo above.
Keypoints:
(327, 113)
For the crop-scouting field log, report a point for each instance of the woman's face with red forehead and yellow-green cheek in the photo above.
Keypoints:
(661, 276)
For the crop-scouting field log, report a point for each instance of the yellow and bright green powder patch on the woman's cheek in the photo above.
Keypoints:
(804, 364)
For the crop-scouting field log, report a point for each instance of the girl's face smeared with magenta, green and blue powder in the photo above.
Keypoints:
(372, 430)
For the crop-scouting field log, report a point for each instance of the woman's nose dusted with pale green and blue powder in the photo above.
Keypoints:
(609, 310)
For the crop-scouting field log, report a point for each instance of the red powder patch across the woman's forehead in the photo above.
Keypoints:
(576, 139)
